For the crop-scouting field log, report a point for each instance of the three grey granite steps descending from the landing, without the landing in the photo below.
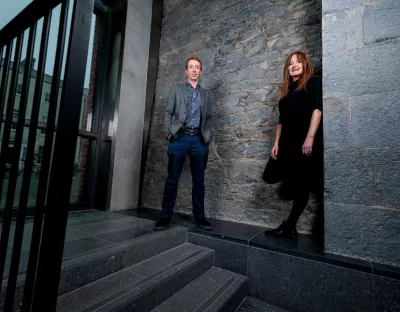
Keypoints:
(178, 277)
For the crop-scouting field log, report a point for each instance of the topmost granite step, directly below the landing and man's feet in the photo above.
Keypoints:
(96, 264)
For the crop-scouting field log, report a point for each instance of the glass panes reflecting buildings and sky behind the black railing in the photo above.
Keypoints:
(79, 192)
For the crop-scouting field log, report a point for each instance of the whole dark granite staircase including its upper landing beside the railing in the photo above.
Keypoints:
(118, 263)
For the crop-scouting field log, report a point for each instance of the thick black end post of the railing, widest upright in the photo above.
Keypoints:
(58, 200)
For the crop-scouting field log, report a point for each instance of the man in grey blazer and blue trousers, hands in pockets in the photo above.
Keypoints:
(188, 128)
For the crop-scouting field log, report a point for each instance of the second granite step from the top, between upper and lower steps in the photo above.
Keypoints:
(143, 286)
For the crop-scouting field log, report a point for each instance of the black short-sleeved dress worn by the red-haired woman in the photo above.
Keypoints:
(296, 109)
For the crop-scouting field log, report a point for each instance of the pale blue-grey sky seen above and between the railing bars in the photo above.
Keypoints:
(11, 8)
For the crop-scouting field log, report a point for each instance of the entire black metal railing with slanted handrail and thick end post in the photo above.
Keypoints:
(51, 211)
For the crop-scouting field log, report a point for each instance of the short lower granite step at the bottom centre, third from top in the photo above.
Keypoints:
(216, 290)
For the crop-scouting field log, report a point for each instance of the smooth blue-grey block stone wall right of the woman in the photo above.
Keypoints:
(361, 43)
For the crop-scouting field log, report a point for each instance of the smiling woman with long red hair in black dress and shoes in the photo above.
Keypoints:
(298, 141)
